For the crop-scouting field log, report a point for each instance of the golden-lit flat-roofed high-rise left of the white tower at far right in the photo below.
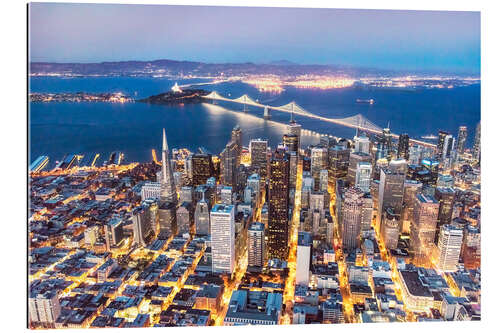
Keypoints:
(423, 227)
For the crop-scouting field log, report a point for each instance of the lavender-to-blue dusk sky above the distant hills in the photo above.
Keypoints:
(413, 40)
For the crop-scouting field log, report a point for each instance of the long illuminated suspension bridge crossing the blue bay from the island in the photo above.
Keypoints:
(357, 121)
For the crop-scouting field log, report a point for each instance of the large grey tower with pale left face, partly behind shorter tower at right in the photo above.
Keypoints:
(391, 190)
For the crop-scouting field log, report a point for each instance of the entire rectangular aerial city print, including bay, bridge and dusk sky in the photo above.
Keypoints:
(174, 193)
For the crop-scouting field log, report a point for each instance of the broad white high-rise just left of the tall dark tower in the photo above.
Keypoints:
(222, 232)
